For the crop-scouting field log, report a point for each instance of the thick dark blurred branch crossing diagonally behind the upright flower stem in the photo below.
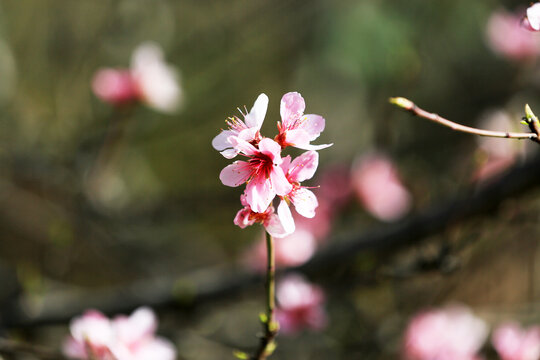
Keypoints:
(217, 284)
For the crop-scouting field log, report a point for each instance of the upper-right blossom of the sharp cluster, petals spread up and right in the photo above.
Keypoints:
(295, 128)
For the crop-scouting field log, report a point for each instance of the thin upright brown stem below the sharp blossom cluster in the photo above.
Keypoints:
(267, 344)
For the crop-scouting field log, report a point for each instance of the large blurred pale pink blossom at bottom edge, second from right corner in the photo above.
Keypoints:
(444, 334)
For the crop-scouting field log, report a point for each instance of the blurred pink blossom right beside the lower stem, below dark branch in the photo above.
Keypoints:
(300, 305)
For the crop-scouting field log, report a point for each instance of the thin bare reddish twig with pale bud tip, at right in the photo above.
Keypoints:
(413, 108)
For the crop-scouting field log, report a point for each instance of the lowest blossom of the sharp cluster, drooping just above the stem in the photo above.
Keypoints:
(271, 221)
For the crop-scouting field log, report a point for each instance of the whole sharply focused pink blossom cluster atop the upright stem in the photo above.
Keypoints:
(266, 173)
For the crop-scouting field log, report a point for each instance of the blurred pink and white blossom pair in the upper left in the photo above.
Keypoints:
(149, 80)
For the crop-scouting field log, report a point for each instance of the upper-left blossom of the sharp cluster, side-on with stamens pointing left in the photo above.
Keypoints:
(247, 130)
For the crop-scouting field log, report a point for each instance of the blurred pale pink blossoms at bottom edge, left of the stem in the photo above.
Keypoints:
(93, 336)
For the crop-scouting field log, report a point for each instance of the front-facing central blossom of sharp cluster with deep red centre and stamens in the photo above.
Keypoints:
(264, 177)
